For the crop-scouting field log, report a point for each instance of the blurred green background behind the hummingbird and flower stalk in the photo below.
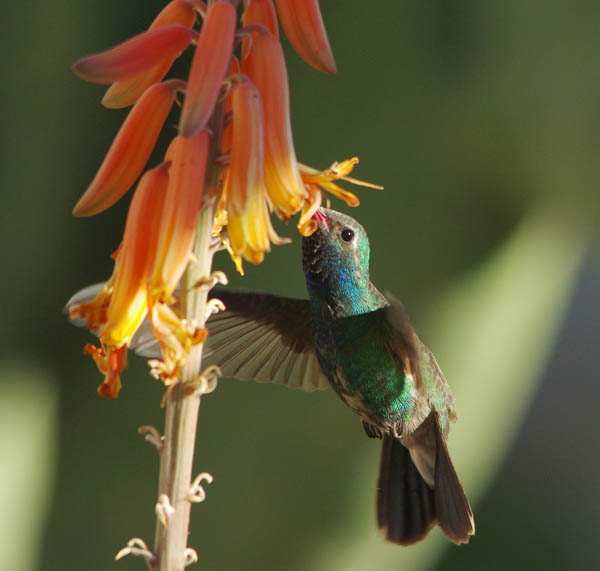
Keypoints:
(482, 121)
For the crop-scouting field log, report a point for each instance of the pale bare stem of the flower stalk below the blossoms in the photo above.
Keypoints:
(182, 414)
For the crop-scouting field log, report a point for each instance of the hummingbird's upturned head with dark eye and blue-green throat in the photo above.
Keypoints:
(335, 259)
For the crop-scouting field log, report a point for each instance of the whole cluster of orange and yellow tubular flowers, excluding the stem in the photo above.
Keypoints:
(258, 170)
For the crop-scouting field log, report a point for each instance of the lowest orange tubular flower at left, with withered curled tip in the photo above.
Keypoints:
(122, 304)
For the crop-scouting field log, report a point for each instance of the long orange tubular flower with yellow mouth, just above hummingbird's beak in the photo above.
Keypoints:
(265, 66)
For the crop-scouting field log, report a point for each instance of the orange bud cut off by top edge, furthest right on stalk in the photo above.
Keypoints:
(304, 28)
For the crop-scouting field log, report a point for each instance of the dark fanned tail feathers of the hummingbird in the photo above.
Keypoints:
(407, 508)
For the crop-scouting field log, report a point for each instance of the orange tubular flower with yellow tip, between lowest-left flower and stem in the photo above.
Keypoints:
(180, 212)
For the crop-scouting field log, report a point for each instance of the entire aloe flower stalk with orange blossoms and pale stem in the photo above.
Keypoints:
(229, 167)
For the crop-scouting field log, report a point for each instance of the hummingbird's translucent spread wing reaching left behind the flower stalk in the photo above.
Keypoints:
(261, 337)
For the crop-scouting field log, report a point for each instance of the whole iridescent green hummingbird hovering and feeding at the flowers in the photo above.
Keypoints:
(350, 337)
